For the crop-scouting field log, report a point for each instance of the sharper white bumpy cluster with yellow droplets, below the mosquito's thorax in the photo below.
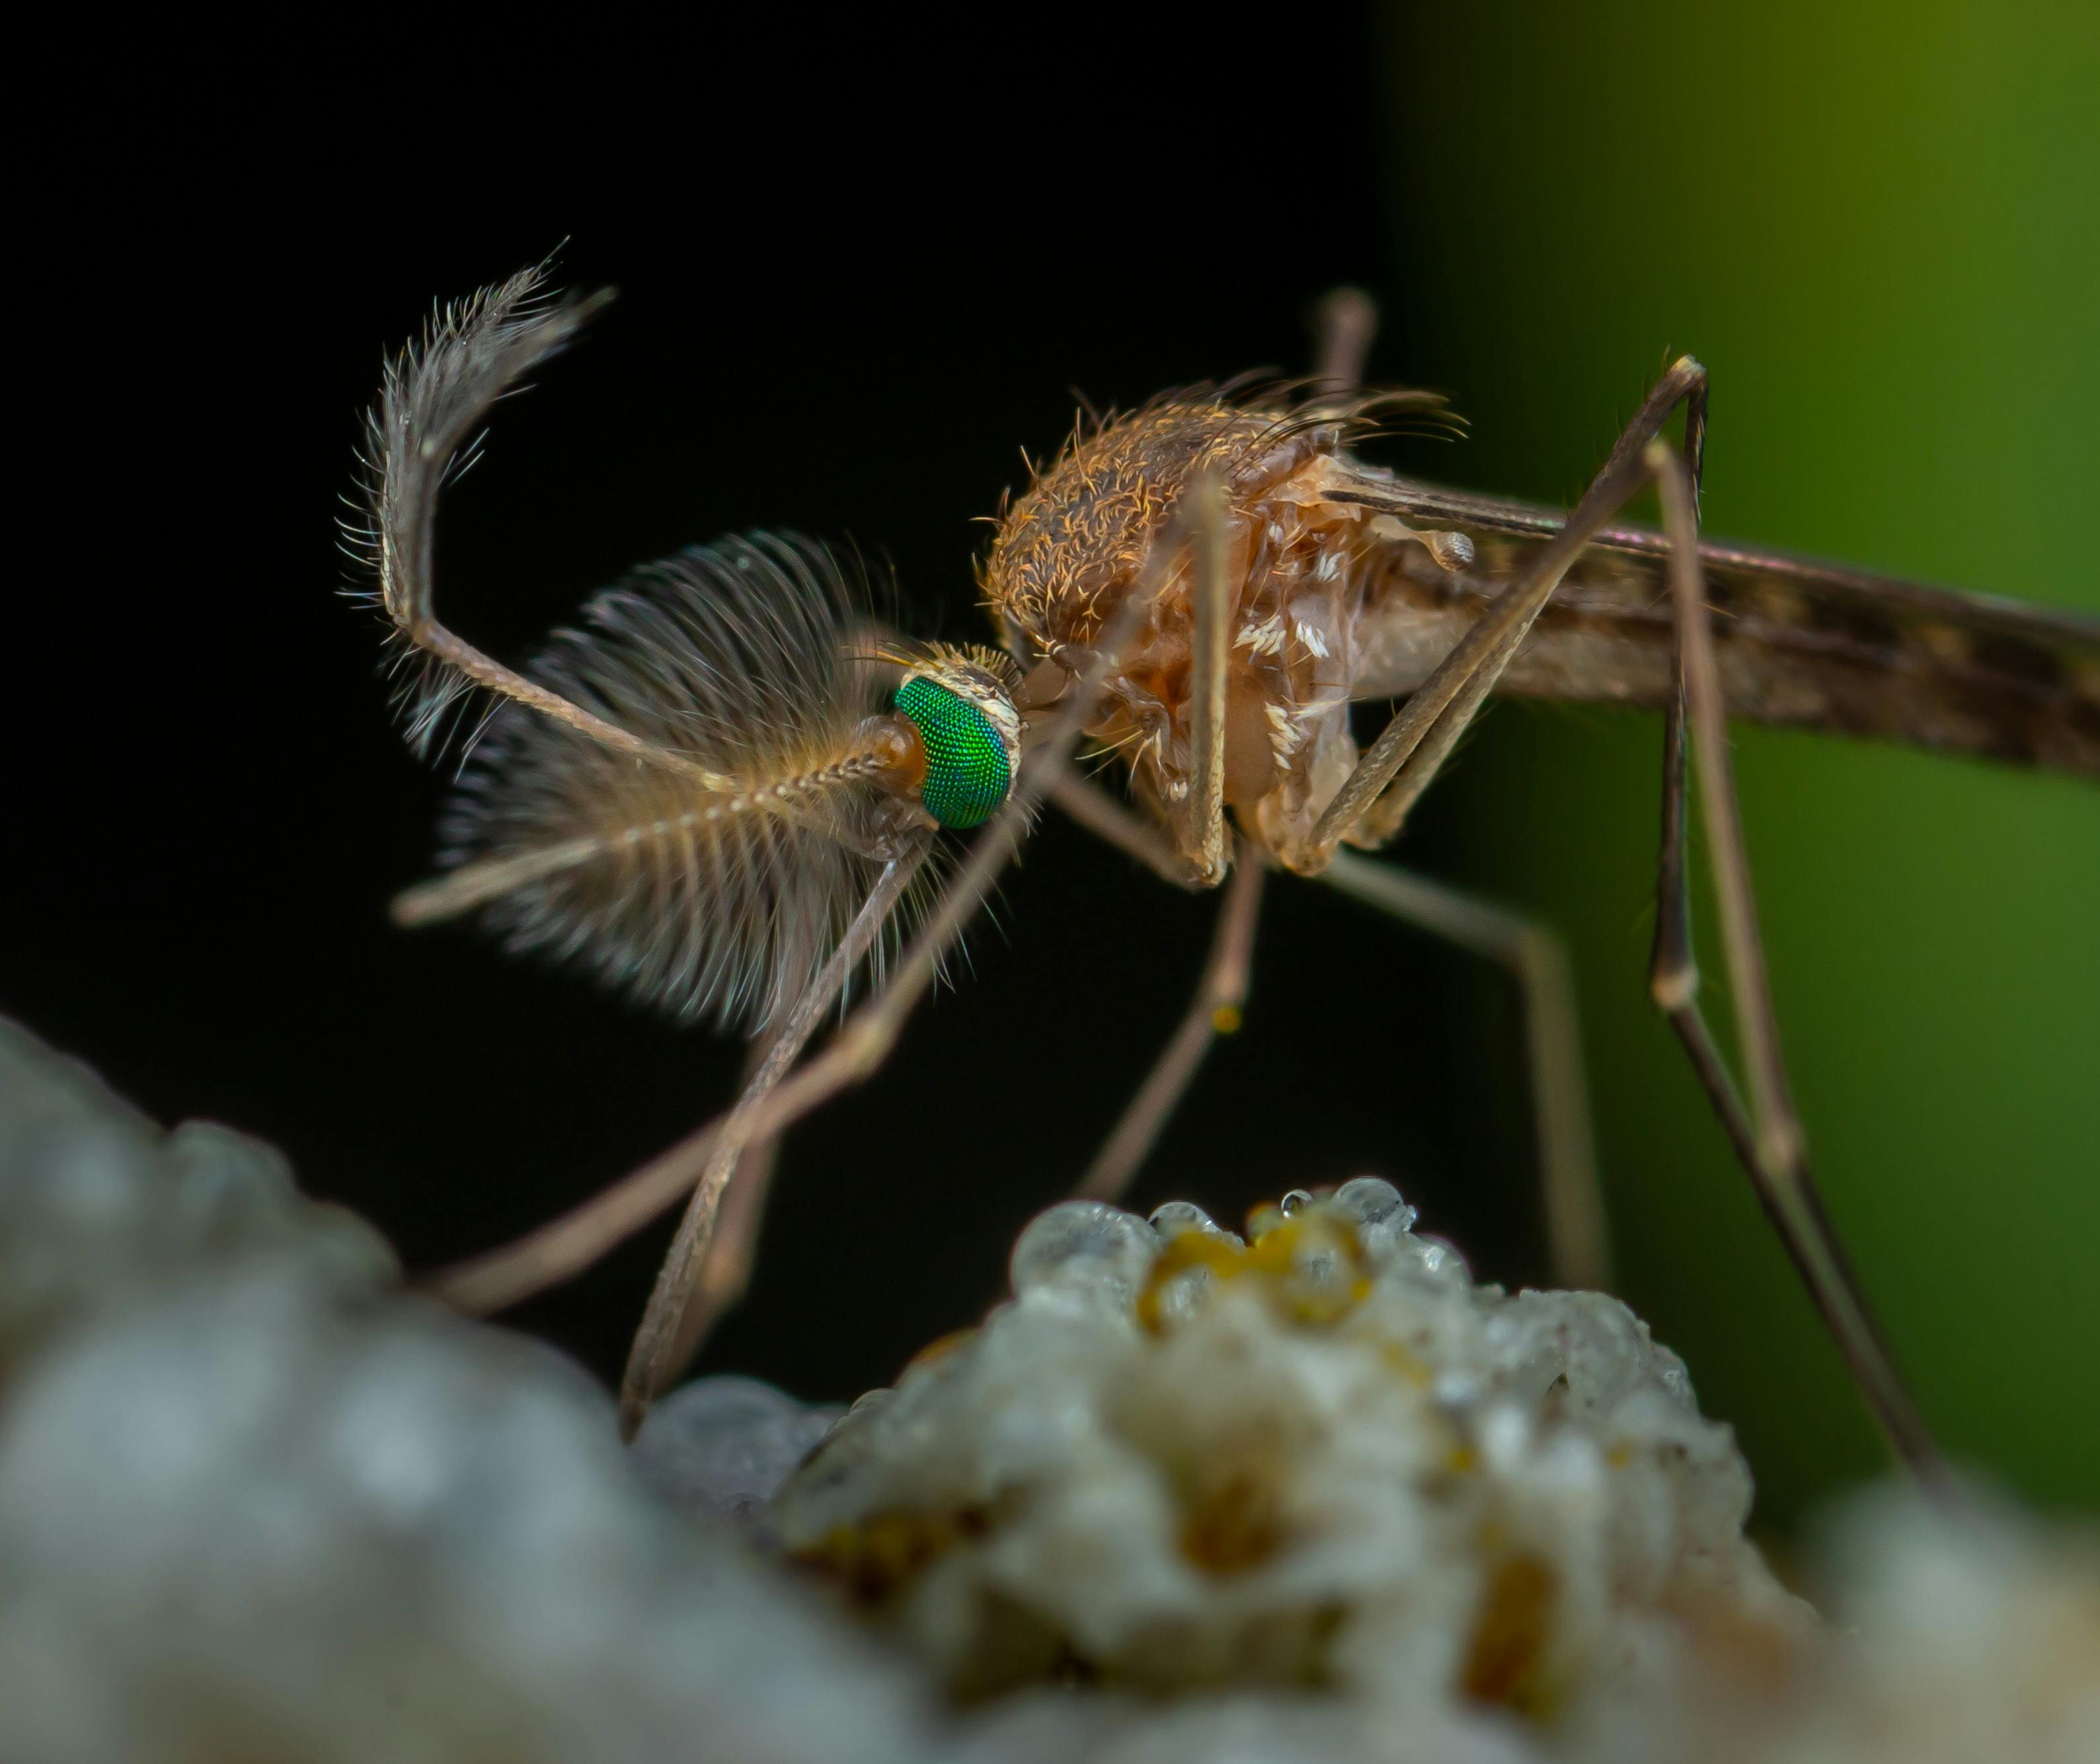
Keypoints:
(1316, 1458)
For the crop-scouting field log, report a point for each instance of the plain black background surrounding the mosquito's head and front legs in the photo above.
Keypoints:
(858, 276)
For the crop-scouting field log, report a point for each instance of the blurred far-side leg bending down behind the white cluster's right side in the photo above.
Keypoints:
(1576, 1230)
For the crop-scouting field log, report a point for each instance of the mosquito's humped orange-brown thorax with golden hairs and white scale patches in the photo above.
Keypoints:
(1297, 564)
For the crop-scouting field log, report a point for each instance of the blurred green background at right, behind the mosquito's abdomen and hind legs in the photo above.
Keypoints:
(1881, 230)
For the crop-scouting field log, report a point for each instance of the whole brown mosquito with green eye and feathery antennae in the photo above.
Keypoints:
(728, 791)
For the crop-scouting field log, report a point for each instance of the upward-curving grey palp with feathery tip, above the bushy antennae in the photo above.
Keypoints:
(432, 402)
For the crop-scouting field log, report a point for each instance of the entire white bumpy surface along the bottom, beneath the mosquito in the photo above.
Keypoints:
(1301, 1498)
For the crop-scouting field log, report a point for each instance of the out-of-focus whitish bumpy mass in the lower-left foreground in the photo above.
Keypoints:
(255, 1503)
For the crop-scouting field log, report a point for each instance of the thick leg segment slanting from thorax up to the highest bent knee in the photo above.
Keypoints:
(1421, 738)
